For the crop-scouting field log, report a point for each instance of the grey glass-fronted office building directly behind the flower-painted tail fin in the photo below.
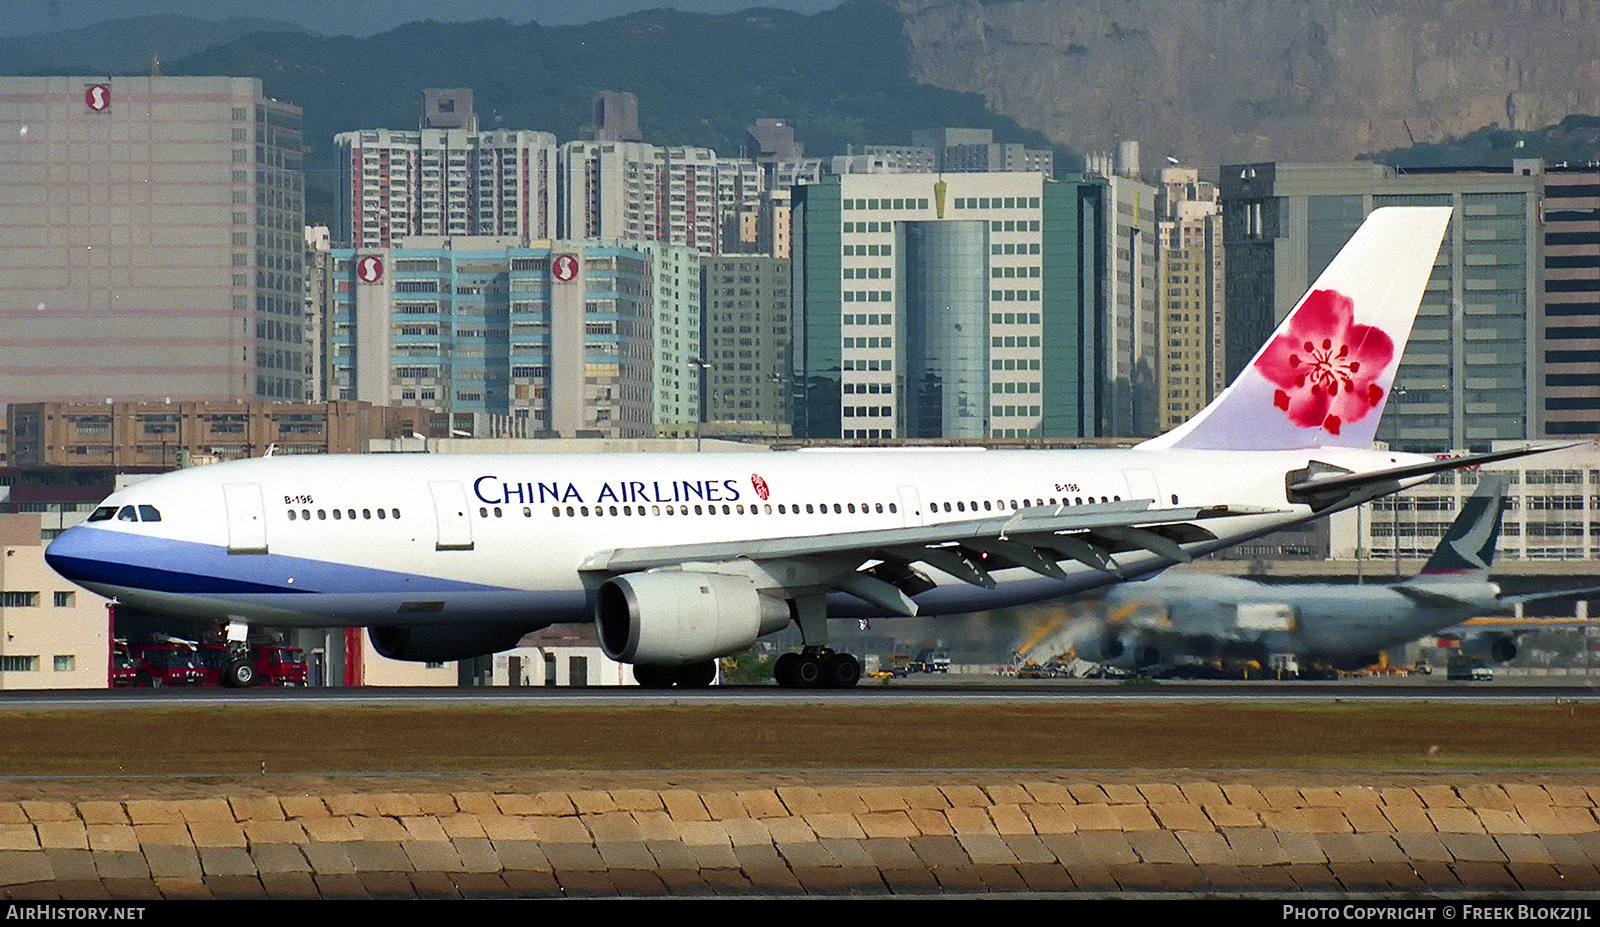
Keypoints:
(1470, 374)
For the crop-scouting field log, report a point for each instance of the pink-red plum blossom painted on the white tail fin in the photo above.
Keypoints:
(1326, 367)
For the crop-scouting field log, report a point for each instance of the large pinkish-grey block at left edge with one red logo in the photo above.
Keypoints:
(151, 239)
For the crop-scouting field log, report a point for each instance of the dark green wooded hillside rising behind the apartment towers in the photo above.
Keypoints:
(839, 78)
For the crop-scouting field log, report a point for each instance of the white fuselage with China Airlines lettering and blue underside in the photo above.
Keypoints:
(431, 539)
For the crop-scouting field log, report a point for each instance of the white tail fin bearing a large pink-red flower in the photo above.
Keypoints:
(1324, 377)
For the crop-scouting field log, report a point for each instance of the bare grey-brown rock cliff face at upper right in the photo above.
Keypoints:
(1234, 81)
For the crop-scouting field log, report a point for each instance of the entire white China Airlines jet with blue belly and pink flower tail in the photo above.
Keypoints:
(684, 558)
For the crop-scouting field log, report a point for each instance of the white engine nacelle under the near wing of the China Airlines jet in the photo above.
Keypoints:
(679, 617)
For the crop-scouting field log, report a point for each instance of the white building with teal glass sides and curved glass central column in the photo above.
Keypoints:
(950, 307)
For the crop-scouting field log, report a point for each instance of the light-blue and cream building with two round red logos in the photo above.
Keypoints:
(511, 340)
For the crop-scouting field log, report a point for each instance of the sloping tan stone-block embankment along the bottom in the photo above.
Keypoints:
(796, 835)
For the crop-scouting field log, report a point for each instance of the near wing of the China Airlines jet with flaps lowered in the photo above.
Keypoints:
(1036, 539)
